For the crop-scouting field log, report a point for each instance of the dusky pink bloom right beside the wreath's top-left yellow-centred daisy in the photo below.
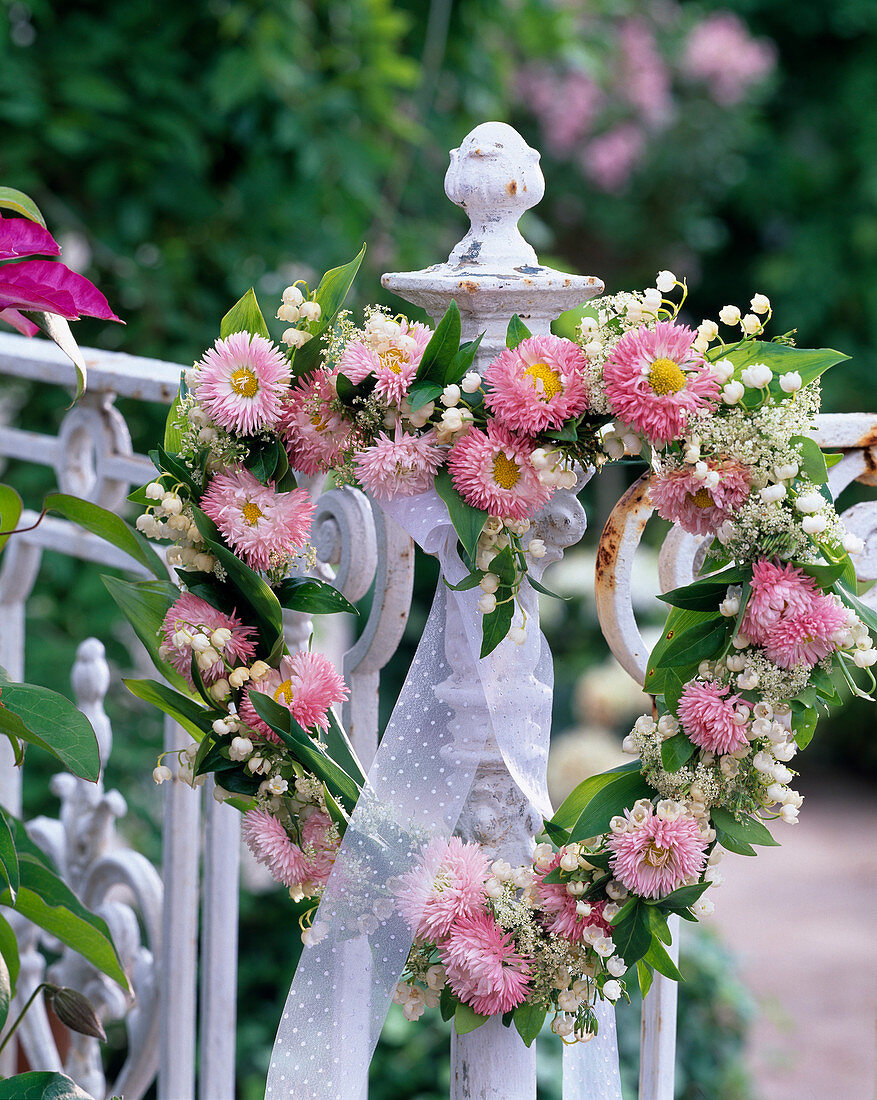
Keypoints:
(316, 437)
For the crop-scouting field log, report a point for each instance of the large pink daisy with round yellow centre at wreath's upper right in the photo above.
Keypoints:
(655, 378)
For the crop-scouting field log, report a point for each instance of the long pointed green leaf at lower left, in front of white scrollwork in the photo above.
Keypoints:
(47, 901)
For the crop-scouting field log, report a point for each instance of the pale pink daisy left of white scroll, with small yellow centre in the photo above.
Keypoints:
(261, 525)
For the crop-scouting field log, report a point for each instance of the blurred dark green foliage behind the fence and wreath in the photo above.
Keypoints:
(190, 151)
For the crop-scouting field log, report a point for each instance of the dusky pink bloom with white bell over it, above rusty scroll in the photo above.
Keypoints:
(681, 498)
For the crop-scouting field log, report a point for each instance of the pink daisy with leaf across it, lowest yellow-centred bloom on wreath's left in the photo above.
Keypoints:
(306, 684)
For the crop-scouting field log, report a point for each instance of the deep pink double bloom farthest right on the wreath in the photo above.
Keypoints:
(790, 617)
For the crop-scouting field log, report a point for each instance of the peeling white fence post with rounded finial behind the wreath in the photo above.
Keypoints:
(492, 274)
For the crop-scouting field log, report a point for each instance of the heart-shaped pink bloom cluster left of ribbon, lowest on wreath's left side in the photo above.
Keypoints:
(306, 866)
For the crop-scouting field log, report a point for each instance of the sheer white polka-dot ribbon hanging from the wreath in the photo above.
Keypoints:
(418, 788)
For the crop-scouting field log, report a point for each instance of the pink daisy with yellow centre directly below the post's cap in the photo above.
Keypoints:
(538, 386)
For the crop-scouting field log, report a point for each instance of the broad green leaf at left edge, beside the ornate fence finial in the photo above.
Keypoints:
(53, 723)
